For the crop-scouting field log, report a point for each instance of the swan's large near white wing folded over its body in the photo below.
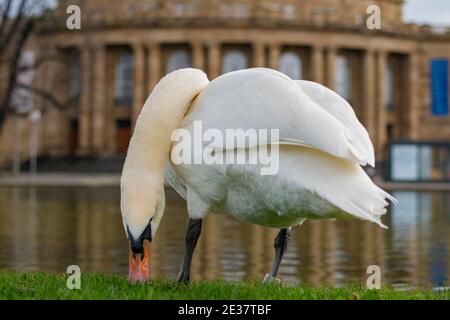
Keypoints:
(266, 99)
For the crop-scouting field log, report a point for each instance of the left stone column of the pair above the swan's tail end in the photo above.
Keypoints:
(369, 92)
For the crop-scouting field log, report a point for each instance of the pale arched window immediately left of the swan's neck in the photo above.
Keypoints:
(124, 79)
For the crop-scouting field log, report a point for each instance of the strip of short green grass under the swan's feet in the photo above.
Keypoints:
(15, 285)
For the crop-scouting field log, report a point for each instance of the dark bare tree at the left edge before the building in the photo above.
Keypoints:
(19, 21)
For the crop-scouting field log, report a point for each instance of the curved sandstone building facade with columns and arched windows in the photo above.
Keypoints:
(124, 47)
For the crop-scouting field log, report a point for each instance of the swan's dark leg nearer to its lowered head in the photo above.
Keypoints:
(193, 231)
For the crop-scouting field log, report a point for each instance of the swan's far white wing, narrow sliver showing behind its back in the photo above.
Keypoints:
(339, 108)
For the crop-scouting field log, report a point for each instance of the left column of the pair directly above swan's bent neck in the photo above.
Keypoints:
(139, 85)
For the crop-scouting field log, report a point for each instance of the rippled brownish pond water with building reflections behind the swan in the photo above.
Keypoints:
(51, 228)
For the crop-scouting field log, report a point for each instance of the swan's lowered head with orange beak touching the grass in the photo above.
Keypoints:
(142, 205)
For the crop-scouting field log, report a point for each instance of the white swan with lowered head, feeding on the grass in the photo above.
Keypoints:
(322, 146)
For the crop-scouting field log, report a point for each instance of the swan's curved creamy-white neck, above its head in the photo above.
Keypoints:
(161, 114)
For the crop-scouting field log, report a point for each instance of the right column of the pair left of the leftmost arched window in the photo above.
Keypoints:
(99, 107)
